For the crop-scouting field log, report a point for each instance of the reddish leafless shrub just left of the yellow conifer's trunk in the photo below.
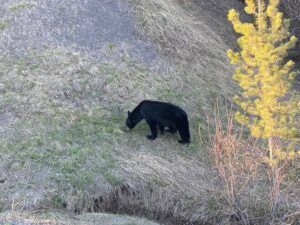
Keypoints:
(237, 162)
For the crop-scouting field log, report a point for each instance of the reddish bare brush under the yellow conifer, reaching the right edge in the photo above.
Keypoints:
(255, 192)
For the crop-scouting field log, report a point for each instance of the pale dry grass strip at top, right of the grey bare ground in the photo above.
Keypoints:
(176, 32)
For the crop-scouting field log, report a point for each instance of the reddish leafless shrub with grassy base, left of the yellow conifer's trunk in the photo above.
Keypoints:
(238, 164)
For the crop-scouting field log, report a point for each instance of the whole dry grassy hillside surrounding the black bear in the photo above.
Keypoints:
(63, 111)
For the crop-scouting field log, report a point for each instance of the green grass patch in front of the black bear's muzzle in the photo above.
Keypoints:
(76, 145)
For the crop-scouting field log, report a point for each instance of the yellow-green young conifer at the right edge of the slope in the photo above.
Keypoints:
(263, 73)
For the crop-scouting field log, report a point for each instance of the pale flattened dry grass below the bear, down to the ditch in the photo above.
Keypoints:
(174, 191)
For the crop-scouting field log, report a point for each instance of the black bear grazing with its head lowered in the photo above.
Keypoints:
(160, 115)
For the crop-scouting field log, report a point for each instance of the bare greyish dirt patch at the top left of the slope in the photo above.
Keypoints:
(85, 26)
